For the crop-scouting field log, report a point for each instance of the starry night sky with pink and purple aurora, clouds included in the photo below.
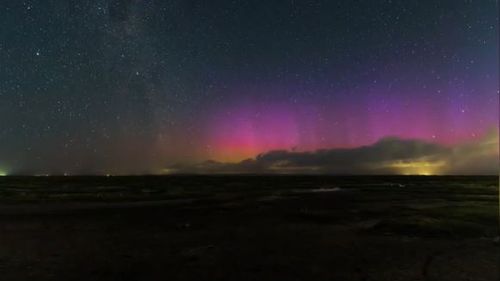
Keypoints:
(162, 86)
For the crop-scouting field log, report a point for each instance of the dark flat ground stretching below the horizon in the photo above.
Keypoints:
(249, 228)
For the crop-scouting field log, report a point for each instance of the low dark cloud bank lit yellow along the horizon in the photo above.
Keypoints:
(391, 155)
